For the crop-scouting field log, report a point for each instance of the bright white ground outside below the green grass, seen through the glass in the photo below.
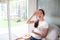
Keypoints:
(16, 32)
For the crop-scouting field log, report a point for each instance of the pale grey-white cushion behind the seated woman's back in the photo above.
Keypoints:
(52, 33)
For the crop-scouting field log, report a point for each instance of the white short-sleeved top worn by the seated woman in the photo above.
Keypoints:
(42, 24)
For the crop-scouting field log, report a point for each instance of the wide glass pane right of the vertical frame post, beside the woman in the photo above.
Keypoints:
(18, 16)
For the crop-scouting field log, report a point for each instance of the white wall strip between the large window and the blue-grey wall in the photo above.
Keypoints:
(31, 9)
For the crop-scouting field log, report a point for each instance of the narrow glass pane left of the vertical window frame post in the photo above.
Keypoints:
(3, 22)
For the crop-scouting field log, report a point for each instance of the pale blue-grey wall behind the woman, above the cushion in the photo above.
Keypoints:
(52, 10)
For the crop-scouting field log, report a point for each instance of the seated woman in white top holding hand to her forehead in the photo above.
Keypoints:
(41, 26)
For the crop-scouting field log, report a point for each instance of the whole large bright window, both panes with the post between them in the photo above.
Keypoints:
(17, 17)
